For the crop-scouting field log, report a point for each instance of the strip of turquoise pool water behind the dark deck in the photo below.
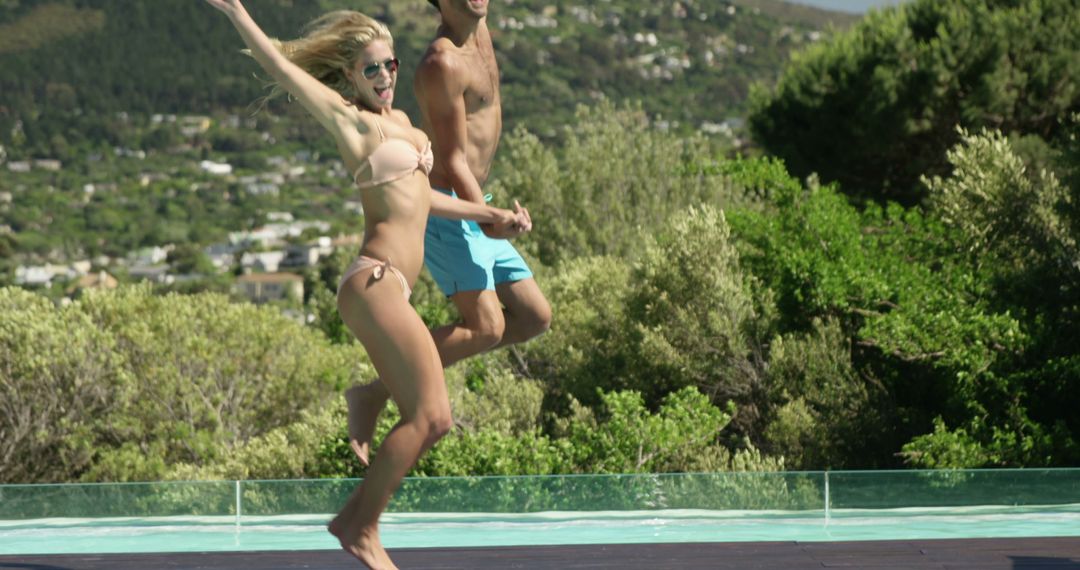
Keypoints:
(65, 536)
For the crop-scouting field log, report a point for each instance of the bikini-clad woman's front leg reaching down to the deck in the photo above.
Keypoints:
(404, 356)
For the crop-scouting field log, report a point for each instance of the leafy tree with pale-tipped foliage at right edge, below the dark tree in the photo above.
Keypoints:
(1019, 226)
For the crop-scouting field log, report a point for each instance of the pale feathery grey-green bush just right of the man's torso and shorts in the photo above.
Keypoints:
(614, 181)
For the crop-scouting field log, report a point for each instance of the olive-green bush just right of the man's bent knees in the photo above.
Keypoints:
(682, 317)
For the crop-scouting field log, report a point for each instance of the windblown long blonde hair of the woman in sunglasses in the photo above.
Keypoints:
(331, 45)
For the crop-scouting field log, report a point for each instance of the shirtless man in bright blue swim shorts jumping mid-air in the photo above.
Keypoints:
(457, 86)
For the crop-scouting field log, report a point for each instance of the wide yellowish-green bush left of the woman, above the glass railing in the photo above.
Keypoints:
(131, 385)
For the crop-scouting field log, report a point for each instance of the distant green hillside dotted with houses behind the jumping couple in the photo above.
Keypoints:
(128, 100)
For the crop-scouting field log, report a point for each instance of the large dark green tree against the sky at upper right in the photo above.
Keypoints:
(877, 106)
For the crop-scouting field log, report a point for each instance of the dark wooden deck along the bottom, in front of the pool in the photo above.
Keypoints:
(968, 554)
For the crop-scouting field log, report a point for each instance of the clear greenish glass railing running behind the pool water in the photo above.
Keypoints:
(795, 493)
